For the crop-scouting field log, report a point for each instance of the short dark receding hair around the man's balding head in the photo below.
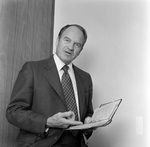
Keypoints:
(75, 25)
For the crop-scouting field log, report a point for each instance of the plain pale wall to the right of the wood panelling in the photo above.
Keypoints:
(117, 57)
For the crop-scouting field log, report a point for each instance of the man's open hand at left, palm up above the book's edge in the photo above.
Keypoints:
(62, 120)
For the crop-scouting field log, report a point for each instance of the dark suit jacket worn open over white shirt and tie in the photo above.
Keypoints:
(37, 95)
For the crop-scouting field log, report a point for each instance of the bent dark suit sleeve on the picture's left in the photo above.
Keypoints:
(19, 111)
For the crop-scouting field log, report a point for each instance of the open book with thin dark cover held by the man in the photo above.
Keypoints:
(101, 116)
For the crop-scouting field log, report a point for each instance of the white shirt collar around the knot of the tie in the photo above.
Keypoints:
(60, 64)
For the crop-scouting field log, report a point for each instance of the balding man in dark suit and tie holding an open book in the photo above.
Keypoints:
(38, 102)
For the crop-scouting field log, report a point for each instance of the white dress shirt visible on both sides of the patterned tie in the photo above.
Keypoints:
(59, 65)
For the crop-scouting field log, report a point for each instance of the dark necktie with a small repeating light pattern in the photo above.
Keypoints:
(69, 94)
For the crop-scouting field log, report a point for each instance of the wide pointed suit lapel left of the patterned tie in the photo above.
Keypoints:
(52, 76)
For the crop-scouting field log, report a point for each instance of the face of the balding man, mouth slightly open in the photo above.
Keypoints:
(70, 44)
